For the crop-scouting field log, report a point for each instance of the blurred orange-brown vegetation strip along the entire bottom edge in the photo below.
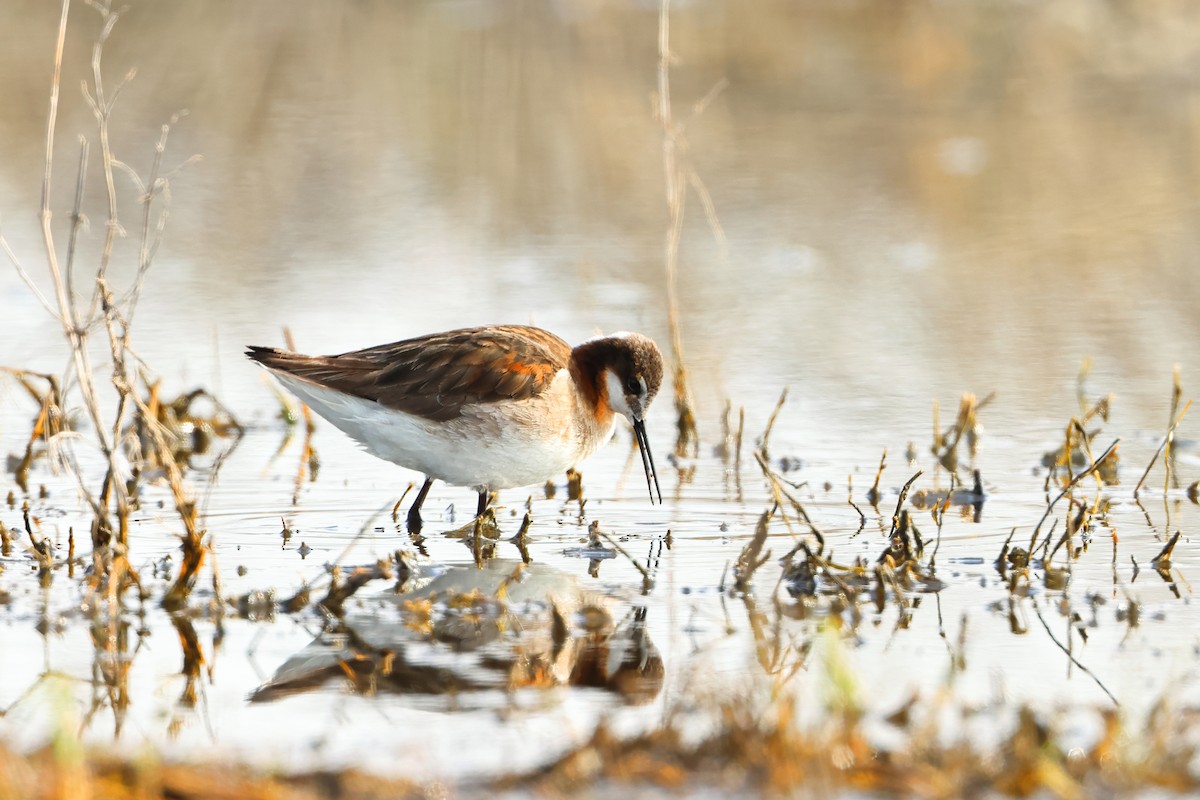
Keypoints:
(758, 748)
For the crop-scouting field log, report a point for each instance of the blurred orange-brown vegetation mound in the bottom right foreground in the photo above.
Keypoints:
(761, 748)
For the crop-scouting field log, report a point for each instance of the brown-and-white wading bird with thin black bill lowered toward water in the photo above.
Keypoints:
(488, 408)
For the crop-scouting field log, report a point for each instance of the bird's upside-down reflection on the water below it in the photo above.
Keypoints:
(508, 627)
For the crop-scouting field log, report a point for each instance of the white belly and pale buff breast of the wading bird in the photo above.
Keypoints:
(490, 447)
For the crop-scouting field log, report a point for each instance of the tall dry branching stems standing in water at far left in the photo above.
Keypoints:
(141, 436)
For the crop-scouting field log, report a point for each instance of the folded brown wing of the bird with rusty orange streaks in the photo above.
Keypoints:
(436, 376)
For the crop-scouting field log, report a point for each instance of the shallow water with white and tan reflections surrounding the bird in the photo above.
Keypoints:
(911, 210)
